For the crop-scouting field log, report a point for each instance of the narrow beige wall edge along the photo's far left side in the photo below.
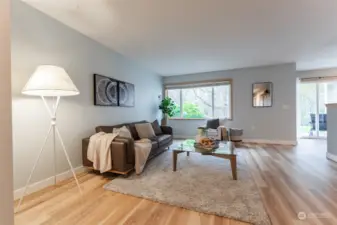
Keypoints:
(6, 161)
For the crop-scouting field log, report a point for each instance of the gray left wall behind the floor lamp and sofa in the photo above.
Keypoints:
(38, 39)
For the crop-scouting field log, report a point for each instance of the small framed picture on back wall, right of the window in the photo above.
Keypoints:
(262, 94)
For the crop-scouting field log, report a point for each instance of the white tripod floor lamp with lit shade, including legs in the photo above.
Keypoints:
(50, 81)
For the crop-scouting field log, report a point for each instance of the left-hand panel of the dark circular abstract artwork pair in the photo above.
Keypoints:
(106, 91)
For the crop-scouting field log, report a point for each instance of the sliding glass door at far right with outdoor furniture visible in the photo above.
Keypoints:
(313, 95)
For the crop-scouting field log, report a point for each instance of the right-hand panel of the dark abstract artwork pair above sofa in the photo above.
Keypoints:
(126, 94)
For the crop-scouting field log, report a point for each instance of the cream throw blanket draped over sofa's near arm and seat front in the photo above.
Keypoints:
(99, 151)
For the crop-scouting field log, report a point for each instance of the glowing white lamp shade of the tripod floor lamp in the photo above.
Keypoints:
(50, 80)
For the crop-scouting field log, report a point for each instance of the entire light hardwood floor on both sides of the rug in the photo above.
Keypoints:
(290, 180)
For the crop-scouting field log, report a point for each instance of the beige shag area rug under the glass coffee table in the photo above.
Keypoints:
(201, 183)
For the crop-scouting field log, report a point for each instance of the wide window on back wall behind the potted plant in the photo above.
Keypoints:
(201, 100)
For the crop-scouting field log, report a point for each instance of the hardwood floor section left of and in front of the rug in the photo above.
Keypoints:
(63, 205)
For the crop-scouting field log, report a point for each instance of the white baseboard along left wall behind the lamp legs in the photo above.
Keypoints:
(47, 182)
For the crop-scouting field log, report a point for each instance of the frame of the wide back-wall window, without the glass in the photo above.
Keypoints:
(212, 84)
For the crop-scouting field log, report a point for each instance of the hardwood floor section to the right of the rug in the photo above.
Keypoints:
(295, 179)
